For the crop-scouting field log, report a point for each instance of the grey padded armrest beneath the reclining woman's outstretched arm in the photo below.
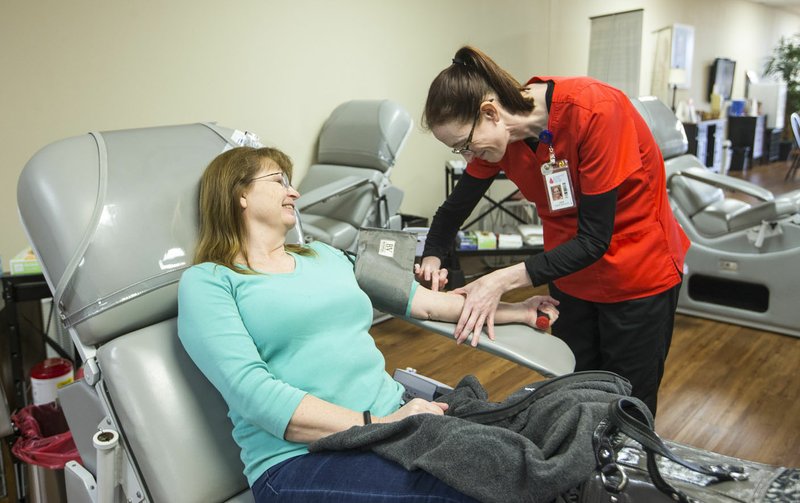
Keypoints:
(537, 350)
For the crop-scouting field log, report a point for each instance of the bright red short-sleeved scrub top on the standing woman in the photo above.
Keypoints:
(608, 145)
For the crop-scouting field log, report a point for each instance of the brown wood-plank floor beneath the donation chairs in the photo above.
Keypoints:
(726, 388)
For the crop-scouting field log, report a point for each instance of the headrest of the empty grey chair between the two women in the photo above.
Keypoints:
(368, 133)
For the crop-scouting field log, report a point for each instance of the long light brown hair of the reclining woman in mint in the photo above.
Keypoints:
(222, 230)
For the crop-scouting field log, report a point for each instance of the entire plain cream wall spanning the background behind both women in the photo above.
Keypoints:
(278, 67)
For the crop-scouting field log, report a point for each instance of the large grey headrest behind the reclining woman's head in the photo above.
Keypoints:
(112, 218)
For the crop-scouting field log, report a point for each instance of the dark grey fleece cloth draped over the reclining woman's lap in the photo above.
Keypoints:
(532, 446)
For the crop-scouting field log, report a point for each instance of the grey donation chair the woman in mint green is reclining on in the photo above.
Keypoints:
(112, 219)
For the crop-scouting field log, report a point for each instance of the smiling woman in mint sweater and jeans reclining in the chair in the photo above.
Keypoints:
(281, 330)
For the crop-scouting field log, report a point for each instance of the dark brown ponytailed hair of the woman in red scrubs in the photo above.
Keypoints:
(458, 91)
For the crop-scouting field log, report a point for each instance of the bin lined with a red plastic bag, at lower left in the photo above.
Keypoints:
(46, 444)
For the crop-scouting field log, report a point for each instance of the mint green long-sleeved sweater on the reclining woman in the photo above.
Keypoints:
(266, 340)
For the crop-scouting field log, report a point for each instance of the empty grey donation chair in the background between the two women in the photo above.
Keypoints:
(349, 187)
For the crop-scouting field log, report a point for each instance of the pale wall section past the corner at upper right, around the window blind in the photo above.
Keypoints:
(741, 30)
